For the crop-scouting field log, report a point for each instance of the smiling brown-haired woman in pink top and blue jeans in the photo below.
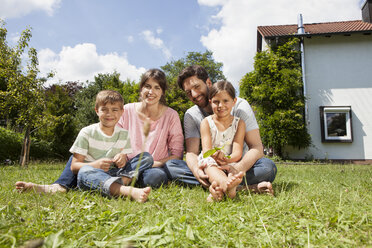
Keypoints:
(164, 141)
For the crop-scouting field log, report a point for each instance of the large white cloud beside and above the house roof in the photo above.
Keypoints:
(234, 43)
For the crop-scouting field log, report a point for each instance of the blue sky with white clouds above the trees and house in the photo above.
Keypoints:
(81, 38)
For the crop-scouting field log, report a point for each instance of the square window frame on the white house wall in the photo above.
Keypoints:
(323, 110)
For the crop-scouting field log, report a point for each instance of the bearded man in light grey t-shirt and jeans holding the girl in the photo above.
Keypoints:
(259, 172)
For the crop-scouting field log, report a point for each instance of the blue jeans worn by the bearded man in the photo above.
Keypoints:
(263, 170)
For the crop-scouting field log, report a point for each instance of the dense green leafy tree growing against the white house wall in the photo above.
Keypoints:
(274, 88)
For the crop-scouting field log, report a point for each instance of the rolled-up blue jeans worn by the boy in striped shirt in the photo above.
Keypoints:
(90, 178)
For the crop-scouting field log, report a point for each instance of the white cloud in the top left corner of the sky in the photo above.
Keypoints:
(18, 8)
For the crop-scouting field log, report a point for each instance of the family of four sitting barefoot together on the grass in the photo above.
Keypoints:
(141, 143)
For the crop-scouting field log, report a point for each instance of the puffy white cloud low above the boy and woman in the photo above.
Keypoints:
(82, 63)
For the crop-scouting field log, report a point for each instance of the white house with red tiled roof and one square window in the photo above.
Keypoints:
(337, 78)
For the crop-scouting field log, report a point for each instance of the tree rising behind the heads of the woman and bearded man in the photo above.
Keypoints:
(175, 96)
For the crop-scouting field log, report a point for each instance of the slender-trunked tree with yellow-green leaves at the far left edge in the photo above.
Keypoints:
(22, 90)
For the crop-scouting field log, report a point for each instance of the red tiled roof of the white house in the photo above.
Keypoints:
(325, 28)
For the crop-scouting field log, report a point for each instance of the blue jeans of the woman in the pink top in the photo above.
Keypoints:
(153, 177)
